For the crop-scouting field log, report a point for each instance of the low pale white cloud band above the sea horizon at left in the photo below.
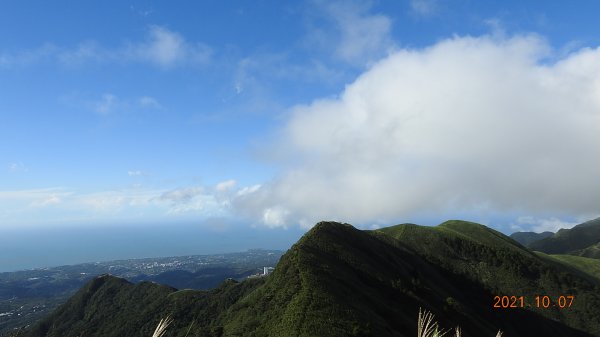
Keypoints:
(138, 204)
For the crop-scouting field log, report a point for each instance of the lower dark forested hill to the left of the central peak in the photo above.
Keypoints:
(110, 306)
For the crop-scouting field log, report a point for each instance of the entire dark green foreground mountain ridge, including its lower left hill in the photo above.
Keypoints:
(340, 281)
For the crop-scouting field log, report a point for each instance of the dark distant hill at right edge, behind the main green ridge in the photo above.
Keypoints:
(581, 240)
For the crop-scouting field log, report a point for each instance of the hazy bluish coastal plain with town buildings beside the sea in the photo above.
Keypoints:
(27, 296)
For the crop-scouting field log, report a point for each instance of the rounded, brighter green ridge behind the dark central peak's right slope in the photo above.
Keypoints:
(503, 266)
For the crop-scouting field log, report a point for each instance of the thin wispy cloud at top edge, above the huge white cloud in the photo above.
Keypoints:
(358, 37)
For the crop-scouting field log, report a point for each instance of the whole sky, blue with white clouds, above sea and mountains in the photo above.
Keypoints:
(237, 115)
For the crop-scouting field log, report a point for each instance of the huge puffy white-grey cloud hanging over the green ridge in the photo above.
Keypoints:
(470, 123)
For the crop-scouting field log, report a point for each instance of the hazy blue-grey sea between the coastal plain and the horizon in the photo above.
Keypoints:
(38, 248)
